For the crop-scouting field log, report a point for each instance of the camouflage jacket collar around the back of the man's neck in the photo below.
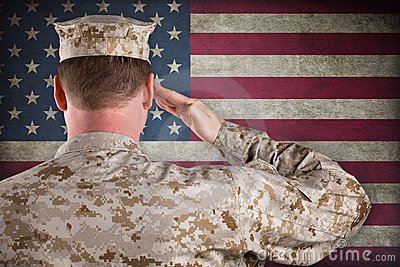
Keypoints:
(100, 140)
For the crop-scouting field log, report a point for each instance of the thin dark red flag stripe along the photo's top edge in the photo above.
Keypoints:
(293, 6)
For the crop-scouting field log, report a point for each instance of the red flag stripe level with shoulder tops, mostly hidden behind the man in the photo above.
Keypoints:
(366, 172)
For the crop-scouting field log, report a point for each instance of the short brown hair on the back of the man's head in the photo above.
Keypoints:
(101, 82)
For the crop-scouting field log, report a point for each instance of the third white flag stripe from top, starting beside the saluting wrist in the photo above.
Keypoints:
(305, 108)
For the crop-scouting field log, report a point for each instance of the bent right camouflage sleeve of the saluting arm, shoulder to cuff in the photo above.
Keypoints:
(296, 204)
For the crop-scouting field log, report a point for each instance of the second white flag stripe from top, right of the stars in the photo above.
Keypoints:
(295, 65)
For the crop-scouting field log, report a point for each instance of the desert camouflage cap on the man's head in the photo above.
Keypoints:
(96, 35)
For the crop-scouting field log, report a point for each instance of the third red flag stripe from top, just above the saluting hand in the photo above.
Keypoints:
(294, 88)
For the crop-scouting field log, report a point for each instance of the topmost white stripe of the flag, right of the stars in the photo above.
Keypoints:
(294, 23)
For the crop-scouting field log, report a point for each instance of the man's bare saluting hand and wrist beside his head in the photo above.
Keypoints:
(197, 116)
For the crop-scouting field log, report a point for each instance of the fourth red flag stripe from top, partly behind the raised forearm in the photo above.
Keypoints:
(323, 130)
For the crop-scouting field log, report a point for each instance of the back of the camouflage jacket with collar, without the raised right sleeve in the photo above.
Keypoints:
(101, 201)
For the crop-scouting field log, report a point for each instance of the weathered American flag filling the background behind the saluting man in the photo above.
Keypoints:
(321, 73)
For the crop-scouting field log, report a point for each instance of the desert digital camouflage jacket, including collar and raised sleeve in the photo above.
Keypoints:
(102, 202)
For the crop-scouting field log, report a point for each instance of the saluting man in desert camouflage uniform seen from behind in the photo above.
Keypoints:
(102, 202)
